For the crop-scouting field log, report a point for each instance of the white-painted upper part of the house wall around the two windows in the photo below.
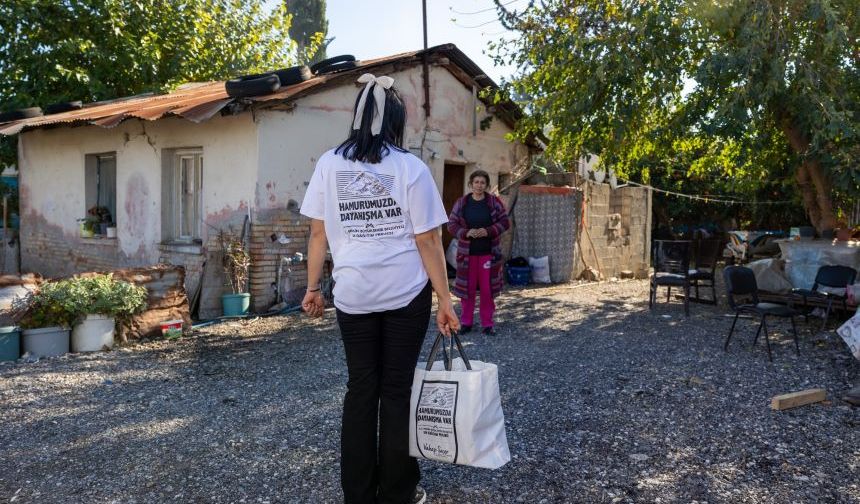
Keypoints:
(52, 173)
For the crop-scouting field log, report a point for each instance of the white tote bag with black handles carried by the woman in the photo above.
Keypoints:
(456, 411)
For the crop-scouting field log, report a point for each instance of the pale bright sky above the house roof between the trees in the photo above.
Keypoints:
(375, 28)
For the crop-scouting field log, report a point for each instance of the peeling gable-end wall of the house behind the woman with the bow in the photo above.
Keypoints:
(291, 141)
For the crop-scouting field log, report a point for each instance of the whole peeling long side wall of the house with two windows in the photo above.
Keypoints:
(52, 182)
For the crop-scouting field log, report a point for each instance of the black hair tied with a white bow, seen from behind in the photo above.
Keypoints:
(361, 145)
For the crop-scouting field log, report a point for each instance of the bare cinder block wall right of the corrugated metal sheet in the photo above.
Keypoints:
(609, 250)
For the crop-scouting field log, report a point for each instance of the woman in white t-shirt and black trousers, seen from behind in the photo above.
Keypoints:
(377, 207)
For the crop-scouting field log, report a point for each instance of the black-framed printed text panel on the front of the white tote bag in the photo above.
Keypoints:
(435, 420)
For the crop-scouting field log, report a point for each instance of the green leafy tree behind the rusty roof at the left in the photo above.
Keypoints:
(91, 50)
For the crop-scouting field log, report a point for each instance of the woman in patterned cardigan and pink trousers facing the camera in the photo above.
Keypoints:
(477, 221)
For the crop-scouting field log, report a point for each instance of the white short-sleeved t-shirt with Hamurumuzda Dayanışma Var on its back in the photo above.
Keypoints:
(372, 213)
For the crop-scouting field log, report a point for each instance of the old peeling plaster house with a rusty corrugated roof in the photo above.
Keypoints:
(175, 169)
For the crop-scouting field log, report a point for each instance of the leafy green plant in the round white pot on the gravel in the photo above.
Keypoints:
(101, 303)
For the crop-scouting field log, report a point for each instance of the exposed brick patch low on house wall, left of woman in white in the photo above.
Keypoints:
(266, 253)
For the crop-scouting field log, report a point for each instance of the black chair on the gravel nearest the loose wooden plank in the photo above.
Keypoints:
(740, 281)
